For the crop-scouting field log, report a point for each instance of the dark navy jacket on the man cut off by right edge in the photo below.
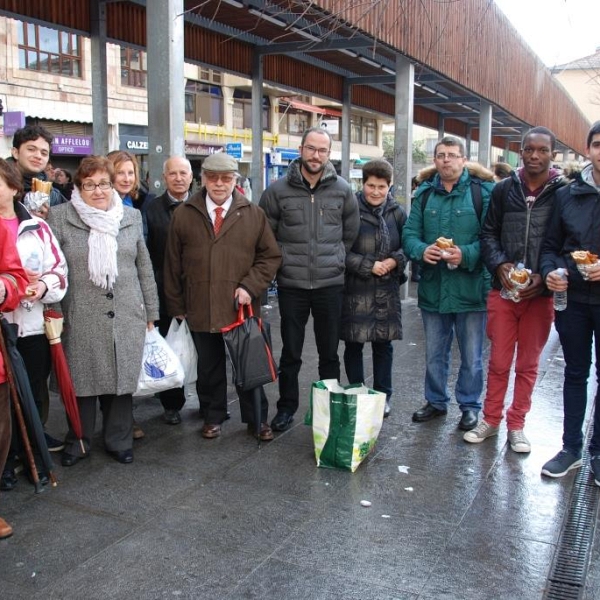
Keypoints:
(574, 225)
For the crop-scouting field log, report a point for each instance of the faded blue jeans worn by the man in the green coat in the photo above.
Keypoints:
(439, 332)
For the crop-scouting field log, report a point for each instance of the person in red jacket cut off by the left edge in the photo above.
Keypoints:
(13, 283)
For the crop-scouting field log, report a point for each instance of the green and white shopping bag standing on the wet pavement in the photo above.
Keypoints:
(346, 421)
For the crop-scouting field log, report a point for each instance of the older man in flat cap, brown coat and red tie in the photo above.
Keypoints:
(220, 249)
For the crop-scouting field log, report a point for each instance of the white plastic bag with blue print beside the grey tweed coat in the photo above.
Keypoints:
(161, 369)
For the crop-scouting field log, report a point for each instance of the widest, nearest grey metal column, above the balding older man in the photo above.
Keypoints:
(166, 84)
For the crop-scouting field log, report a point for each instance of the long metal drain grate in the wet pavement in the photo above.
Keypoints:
(571, 560)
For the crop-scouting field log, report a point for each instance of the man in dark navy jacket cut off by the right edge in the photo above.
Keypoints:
(575, 225)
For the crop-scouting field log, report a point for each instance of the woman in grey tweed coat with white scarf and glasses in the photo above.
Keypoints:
(110, 303)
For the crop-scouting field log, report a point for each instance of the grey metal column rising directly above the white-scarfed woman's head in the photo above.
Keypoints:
(99, 76)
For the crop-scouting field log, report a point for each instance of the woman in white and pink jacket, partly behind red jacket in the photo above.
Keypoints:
(46, 269)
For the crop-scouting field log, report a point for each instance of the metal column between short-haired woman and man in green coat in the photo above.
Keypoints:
(403, 126)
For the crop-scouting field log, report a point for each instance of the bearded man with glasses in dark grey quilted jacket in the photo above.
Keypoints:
(315, 217)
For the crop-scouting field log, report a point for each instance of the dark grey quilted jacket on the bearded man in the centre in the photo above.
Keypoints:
(314, 228)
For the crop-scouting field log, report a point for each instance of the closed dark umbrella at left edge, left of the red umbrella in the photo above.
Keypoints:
(26, 412)
